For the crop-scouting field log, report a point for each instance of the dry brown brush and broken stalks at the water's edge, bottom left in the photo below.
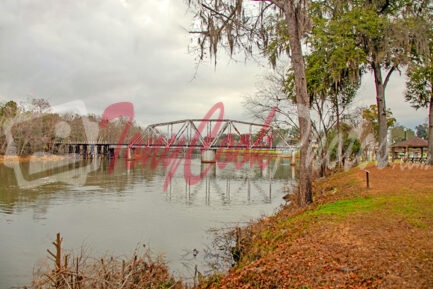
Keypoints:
(140, 270)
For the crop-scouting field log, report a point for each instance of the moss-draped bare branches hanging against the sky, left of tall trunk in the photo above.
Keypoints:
(235, 25)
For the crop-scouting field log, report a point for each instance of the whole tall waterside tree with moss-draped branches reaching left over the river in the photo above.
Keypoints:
(229, 24)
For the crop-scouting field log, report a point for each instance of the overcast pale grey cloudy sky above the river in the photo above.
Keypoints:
(107, 51)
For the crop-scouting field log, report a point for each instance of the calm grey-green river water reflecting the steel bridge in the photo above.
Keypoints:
(115, 212)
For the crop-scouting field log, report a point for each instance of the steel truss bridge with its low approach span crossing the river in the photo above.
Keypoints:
(203, 134)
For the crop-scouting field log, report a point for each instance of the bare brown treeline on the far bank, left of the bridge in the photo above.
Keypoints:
(33, 128)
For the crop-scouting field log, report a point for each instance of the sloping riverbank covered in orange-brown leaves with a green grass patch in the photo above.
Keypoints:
(351, 237)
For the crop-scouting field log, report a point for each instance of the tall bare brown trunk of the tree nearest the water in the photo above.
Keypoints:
(305, 195)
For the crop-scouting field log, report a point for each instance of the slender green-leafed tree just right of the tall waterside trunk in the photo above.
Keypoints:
(333, 71)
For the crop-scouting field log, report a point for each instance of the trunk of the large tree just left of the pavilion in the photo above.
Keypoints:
(382, 153)
